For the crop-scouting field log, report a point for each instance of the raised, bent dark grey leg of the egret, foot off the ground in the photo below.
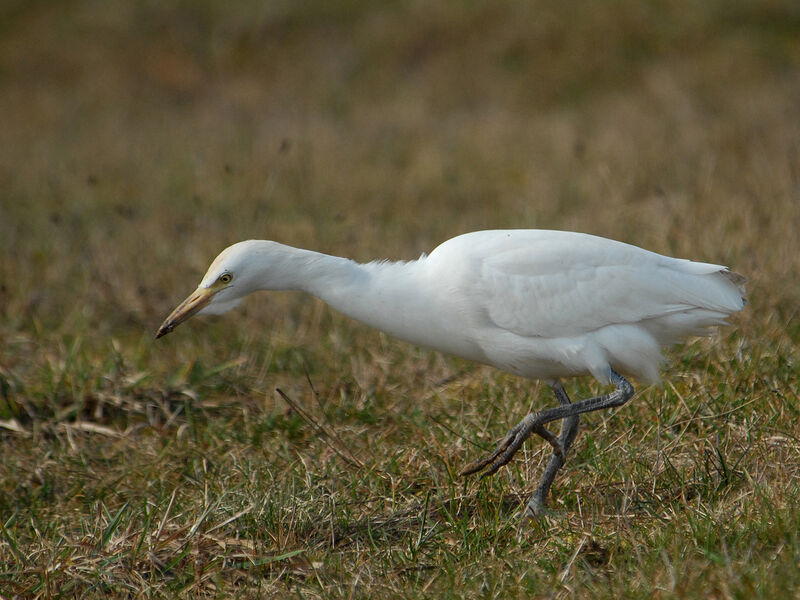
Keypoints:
(519, 433)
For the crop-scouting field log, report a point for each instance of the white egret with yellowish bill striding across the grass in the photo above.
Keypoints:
(535, 303)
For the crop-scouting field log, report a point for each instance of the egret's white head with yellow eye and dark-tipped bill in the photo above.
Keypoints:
(228, 280)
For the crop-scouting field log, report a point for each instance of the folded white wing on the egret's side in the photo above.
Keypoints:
(567, 286)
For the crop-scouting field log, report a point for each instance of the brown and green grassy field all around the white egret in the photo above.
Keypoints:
(137, 139)
